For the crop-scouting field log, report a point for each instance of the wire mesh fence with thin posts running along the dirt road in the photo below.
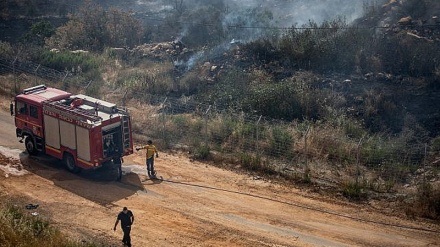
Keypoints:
(301, 150)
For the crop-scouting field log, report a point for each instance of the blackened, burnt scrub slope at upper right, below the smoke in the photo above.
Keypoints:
(383, 66)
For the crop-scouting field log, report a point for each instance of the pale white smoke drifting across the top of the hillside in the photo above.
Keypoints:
(247, 20)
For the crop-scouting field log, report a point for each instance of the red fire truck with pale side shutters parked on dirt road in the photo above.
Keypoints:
(82, 131)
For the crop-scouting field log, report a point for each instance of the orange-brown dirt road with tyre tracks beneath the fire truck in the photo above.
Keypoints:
(195, 205)
